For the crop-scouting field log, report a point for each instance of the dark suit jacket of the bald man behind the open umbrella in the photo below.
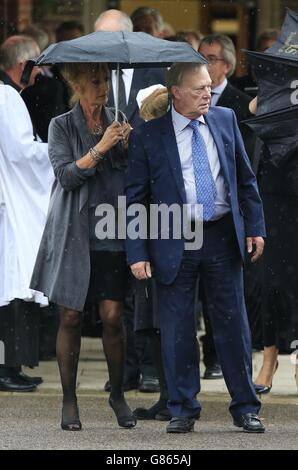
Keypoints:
(142, 78)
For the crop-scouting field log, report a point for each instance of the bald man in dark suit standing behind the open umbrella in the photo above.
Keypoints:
(139, 369)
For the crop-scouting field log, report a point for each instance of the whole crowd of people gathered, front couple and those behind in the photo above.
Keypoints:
(179, 138)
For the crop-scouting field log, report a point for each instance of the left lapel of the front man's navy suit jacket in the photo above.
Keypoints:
(170, 145)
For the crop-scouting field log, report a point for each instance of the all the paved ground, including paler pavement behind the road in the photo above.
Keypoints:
(31, 421)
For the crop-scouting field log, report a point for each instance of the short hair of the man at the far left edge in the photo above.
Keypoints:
(17, 49)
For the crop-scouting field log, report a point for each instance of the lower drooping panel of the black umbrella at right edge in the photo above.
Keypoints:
(279, 131)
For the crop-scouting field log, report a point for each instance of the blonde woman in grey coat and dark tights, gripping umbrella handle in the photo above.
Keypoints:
(87, 151)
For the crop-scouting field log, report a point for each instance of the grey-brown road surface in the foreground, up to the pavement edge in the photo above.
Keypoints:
(31, 421)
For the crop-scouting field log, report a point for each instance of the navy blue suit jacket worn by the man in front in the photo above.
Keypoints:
(155, 176)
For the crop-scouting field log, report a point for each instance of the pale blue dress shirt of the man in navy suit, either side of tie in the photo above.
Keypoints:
(183, 134)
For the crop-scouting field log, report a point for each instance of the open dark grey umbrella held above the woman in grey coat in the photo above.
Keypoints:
(128, 50)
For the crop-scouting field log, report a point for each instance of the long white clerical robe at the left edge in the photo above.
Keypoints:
(26, 178)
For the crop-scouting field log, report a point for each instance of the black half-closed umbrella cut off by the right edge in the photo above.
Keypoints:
(276, 71)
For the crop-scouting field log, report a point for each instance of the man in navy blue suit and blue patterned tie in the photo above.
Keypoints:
(195, 155)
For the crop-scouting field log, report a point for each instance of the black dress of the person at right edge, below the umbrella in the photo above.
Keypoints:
(279, 192)
